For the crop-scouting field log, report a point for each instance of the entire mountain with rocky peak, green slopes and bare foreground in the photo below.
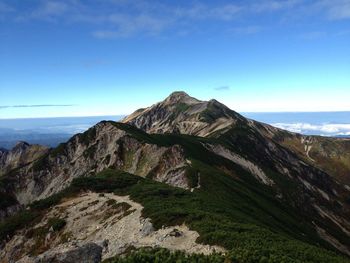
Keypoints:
(184, 179)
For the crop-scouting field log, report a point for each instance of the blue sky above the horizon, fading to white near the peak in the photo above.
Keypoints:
(95, 57)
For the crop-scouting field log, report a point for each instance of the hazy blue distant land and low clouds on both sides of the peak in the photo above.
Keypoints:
(52, 131)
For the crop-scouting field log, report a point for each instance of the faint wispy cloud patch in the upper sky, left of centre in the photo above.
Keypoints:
(152, 22)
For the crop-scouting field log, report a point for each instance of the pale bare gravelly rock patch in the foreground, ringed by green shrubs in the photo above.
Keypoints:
(98, 227)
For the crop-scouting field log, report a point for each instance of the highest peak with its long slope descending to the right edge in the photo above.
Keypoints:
(206, 119)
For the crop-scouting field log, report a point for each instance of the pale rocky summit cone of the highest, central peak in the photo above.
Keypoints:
(180, 113)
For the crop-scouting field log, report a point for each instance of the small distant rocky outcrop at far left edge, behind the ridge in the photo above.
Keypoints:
(20, 155)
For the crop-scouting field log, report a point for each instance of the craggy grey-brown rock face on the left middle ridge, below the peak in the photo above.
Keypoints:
(103, 146)
